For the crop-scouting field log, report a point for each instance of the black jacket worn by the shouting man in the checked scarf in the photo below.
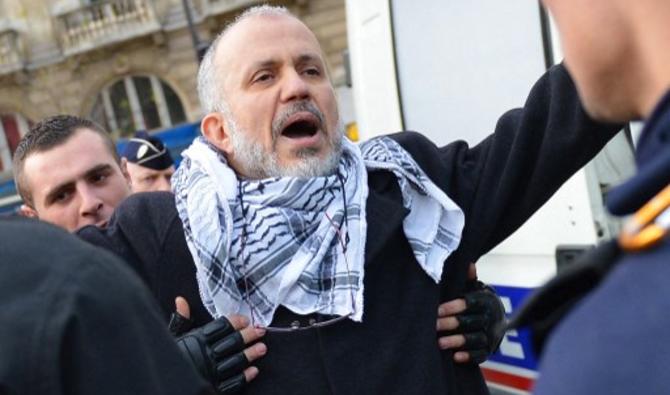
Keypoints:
(499, 183)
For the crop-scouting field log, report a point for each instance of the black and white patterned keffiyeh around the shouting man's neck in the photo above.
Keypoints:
(281, 239)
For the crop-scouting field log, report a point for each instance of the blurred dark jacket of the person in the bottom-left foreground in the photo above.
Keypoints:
(74, 320)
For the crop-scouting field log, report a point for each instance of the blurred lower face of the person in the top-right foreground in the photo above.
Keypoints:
(597, 46)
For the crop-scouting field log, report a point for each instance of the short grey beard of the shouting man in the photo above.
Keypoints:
(256, 163)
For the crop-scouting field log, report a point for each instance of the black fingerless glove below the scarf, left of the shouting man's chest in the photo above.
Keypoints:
(216, 351)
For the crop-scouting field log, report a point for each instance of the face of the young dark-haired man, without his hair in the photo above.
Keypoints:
(75, 184)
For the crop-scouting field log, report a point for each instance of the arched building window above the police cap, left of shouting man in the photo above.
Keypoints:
(136, 103)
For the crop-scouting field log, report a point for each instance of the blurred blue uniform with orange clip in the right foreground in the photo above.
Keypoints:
(612, 337)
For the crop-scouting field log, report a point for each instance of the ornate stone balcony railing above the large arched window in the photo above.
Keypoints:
(106, 22)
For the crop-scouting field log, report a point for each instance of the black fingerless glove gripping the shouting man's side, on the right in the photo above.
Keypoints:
(482, 323)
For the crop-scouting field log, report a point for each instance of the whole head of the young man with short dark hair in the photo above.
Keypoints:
(68, 173)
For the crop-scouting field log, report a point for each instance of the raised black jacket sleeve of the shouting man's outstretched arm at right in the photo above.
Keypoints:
(502, 181)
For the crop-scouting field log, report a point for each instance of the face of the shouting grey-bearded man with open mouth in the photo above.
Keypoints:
(283, 111)
